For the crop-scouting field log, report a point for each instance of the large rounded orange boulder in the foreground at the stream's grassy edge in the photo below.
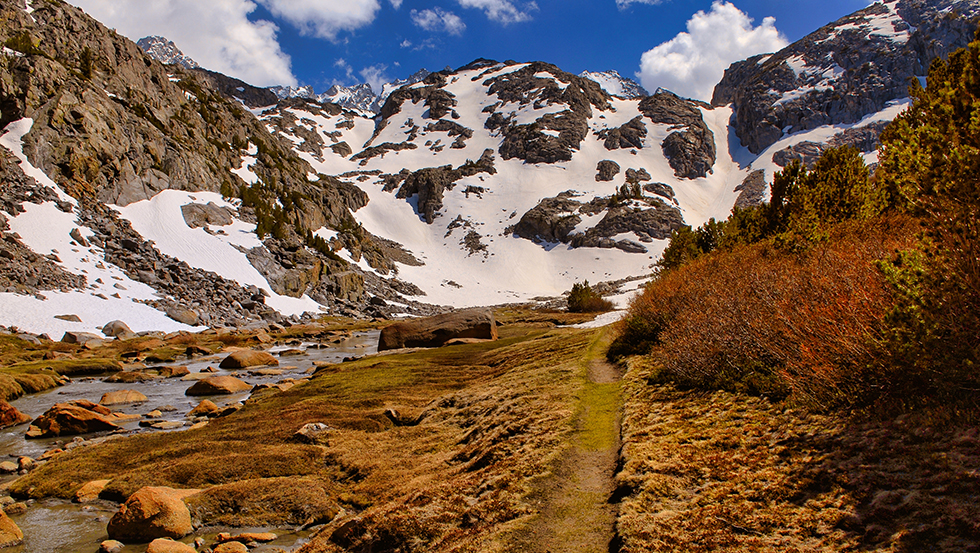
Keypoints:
(151, 513)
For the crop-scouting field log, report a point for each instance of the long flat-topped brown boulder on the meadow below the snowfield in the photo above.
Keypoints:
(436, 331)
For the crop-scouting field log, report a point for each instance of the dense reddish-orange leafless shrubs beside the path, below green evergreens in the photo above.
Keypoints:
(766, 322)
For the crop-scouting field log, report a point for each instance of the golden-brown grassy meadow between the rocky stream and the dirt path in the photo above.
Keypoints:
(491, 418)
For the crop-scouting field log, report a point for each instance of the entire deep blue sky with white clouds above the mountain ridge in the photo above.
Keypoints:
(323, 42)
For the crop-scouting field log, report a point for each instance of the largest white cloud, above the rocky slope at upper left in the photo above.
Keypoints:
(216, 33)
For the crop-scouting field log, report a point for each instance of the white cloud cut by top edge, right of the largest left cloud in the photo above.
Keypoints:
(324, 18)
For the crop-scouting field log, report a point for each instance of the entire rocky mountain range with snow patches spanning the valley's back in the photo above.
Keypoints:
(492, 183)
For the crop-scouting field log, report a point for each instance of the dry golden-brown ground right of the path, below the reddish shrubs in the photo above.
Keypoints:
(714, 471)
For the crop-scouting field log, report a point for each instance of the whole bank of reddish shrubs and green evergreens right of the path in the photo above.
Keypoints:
(847, 290)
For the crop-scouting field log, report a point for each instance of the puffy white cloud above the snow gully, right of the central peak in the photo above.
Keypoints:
(692, 63)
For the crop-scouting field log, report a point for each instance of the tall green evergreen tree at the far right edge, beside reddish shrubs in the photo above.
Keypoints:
(930, 163)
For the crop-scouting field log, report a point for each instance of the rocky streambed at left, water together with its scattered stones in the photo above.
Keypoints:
(56, 526)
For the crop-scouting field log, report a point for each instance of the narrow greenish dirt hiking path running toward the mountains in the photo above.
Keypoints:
(576, 515)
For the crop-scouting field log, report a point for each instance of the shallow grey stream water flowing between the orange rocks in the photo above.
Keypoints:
(53, 526)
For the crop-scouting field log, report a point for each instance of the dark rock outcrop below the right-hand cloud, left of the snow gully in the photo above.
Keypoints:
(691, 151)
